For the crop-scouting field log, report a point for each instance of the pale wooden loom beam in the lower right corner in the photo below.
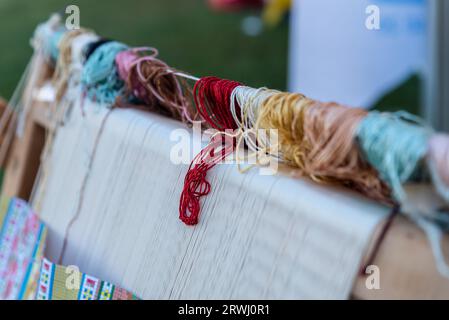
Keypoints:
(407, 266)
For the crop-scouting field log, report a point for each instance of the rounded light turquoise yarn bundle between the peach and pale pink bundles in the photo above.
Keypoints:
(394, 144)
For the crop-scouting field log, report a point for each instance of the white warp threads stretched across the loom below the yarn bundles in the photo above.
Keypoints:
(259, 236)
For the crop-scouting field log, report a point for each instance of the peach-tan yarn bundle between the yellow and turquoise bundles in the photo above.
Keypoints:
(330, 151)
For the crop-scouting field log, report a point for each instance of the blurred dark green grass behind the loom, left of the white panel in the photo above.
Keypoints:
(187, 33)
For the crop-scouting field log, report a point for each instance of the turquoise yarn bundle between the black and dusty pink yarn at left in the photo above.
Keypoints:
(100, 78)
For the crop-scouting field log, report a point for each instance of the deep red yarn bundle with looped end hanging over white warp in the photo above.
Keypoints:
(212, 98)
